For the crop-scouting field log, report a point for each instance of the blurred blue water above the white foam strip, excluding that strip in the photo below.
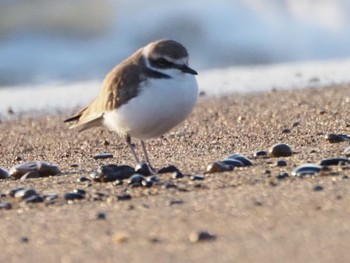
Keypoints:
(72, 40)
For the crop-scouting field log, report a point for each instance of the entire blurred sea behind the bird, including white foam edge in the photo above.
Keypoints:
(236, 45)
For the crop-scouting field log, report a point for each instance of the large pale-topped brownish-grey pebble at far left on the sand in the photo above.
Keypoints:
(42, 168)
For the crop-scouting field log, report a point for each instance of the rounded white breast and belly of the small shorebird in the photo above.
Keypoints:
(160, 106)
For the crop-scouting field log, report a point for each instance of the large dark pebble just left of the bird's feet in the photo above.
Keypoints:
(112, 172)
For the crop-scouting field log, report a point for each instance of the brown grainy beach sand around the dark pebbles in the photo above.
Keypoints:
(253, 216)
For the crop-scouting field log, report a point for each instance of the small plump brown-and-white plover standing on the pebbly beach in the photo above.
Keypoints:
(144, 96)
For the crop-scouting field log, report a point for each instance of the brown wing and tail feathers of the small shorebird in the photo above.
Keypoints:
(120, 85)
